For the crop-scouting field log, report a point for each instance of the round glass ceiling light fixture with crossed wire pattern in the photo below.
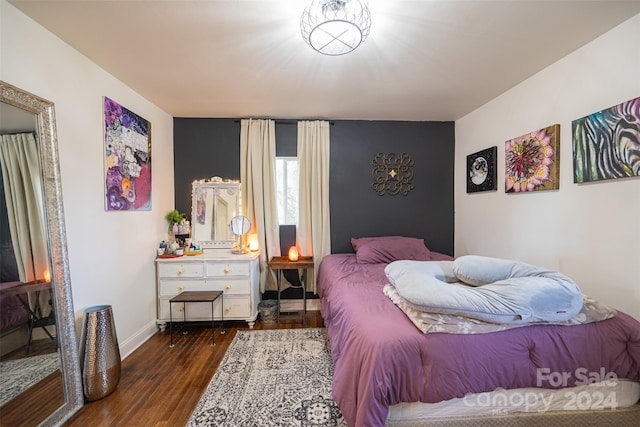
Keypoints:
(335, 27)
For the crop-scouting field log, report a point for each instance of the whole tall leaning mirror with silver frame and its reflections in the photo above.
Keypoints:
(40, 298)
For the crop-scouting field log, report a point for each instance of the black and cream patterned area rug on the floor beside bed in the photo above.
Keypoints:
(272, 378)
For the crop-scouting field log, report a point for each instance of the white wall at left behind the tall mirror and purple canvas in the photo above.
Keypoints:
(111, 254)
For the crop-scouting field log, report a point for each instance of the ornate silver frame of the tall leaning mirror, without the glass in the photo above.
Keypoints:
(56, 233)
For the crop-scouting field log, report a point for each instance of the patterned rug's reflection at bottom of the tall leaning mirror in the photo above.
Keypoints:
(18, 375)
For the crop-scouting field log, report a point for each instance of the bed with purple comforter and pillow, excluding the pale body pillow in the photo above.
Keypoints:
(387, 371)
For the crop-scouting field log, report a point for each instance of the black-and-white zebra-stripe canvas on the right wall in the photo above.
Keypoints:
(606, 144)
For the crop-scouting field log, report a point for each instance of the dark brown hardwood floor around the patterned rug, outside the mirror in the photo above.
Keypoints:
(160, 386)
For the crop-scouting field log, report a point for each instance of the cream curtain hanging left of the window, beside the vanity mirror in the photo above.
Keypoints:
(258, 177)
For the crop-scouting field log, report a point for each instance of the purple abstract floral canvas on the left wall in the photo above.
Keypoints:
(127, 140)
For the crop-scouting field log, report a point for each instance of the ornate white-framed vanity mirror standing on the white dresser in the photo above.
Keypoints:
(214, 202)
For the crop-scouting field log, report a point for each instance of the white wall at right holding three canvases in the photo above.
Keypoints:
(590, 232)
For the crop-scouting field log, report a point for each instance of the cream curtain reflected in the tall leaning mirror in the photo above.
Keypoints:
(25, 208)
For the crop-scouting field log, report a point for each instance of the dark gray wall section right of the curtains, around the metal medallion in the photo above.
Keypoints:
(358, 211)
